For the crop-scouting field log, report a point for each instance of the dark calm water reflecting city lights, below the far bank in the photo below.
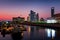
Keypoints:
(37, 33)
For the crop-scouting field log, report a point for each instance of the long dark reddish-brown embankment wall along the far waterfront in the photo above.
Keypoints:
(44, 25)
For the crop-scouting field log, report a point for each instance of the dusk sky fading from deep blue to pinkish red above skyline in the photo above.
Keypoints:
(15, 8)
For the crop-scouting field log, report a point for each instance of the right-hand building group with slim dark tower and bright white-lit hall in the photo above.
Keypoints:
(55, 18)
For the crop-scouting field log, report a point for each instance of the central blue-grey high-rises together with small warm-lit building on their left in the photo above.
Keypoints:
(33, 16)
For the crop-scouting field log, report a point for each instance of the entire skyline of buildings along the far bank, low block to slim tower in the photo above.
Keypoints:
(34, 17)
